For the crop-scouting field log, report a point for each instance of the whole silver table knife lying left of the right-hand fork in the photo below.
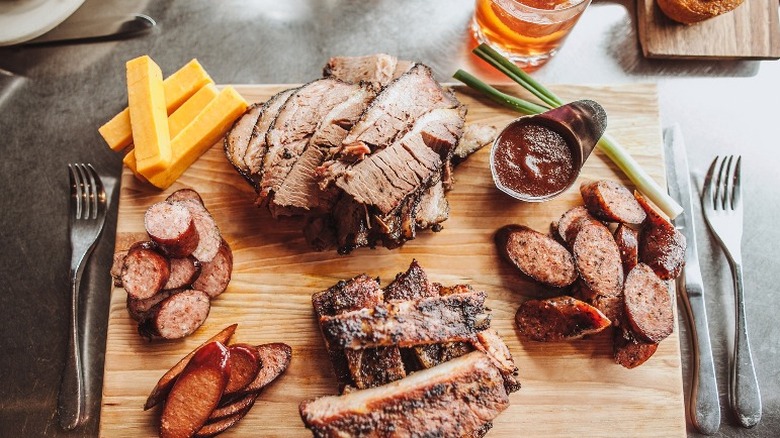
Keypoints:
(704, 401)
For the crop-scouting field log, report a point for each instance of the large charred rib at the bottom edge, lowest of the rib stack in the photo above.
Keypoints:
(456, 398)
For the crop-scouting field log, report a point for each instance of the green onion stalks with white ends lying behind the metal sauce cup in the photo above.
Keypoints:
(607, 144)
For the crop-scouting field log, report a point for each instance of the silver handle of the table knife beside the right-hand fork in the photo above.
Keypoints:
(704, 402)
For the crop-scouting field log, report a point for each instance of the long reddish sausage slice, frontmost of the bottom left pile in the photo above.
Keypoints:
(196, 392)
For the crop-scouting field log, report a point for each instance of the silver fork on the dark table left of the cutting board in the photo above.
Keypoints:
(87, 216)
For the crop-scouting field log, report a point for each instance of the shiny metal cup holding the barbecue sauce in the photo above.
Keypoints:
(580, 123)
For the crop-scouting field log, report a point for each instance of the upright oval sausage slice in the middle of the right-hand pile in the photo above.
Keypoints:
(597, 259)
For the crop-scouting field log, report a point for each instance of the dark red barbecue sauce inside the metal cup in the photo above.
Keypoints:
(533, 160)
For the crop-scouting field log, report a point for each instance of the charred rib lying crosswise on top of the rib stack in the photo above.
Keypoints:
(432, 320)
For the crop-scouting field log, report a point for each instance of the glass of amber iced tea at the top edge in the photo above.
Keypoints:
(529, 32)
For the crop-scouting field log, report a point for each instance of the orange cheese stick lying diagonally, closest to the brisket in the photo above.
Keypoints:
(200, 134)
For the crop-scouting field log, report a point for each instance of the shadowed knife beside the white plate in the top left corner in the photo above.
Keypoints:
(101, 29)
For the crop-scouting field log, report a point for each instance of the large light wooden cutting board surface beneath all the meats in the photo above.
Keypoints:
(569, 388)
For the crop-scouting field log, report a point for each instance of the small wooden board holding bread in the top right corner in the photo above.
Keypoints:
(751, 31)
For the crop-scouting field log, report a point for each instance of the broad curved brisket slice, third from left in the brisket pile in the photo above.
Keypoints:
(289, 134)
